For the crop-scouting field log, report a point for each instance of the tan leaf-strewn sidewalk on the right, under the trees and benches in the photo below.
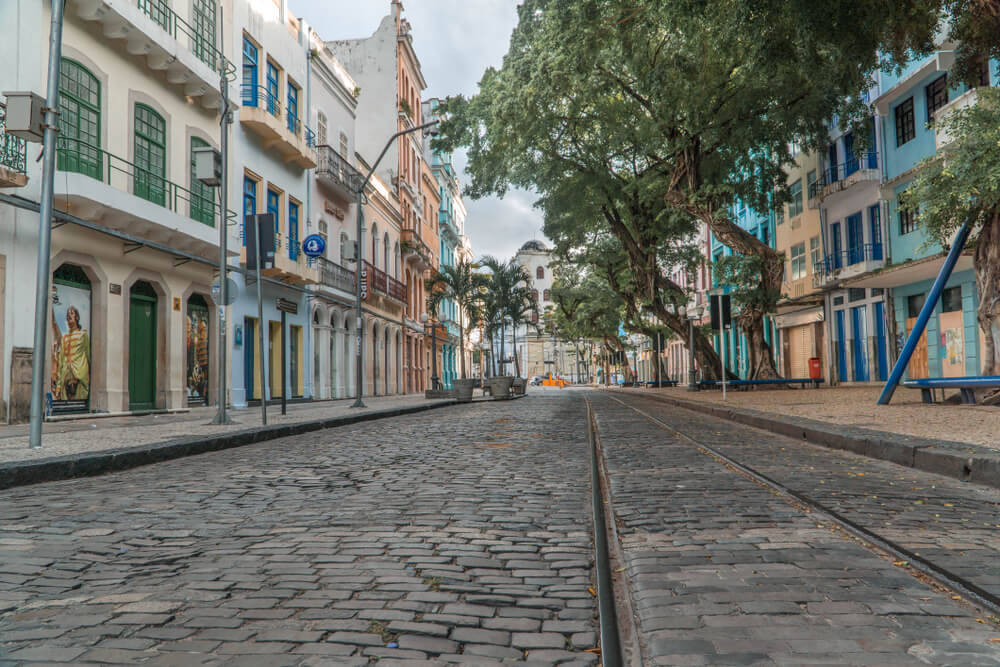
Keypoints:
(856, 407)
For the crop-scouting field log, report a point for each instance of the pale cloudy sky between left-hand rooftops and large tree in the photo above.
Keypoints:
(455, 40)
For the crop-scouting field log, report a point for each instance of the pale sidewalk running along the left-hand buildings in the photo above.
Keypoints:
(91, 435)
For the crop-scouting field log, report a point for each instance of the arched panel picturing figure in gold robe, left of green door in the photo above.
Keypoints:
(70, 379)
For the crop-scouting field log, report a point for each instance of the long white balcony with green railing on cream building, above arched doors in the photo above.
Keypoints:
(97, 185)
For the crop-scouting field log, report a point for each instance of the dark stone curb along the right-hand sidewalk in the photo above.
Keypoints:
(966, 462)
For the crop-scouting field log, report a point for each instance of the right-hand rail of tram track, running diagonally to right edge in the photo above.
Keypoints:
(923, 568)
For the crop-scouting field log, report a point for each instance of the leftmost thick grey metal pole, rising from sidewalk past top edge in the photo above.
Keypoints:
(45, 228)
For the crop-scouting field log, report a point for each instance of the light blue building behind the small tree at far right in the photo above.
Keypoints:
(908, 104)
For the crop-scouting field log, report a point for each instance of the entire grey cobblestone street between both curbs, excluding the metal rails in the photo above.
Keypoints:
(463, 535)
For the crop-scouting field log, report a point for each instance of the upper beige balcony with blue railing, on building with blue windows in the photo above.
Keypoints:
(264, 115)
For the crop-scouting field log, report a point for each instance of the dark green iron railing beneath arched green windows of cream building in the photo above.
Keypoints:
(78, 156)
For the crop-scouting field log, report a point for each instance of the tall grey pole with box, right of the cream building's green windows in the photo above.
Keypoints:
(221, 416)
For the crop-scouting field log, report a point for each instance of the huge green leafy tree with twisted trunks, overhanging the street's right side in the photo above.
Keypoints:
(693, 102)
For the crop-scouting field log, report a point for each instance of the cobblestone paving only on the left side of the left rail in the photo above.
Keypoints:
(460, 534)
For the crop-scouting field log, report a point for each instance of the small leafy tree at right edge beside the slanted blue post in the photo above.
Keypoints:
(961, 186)
